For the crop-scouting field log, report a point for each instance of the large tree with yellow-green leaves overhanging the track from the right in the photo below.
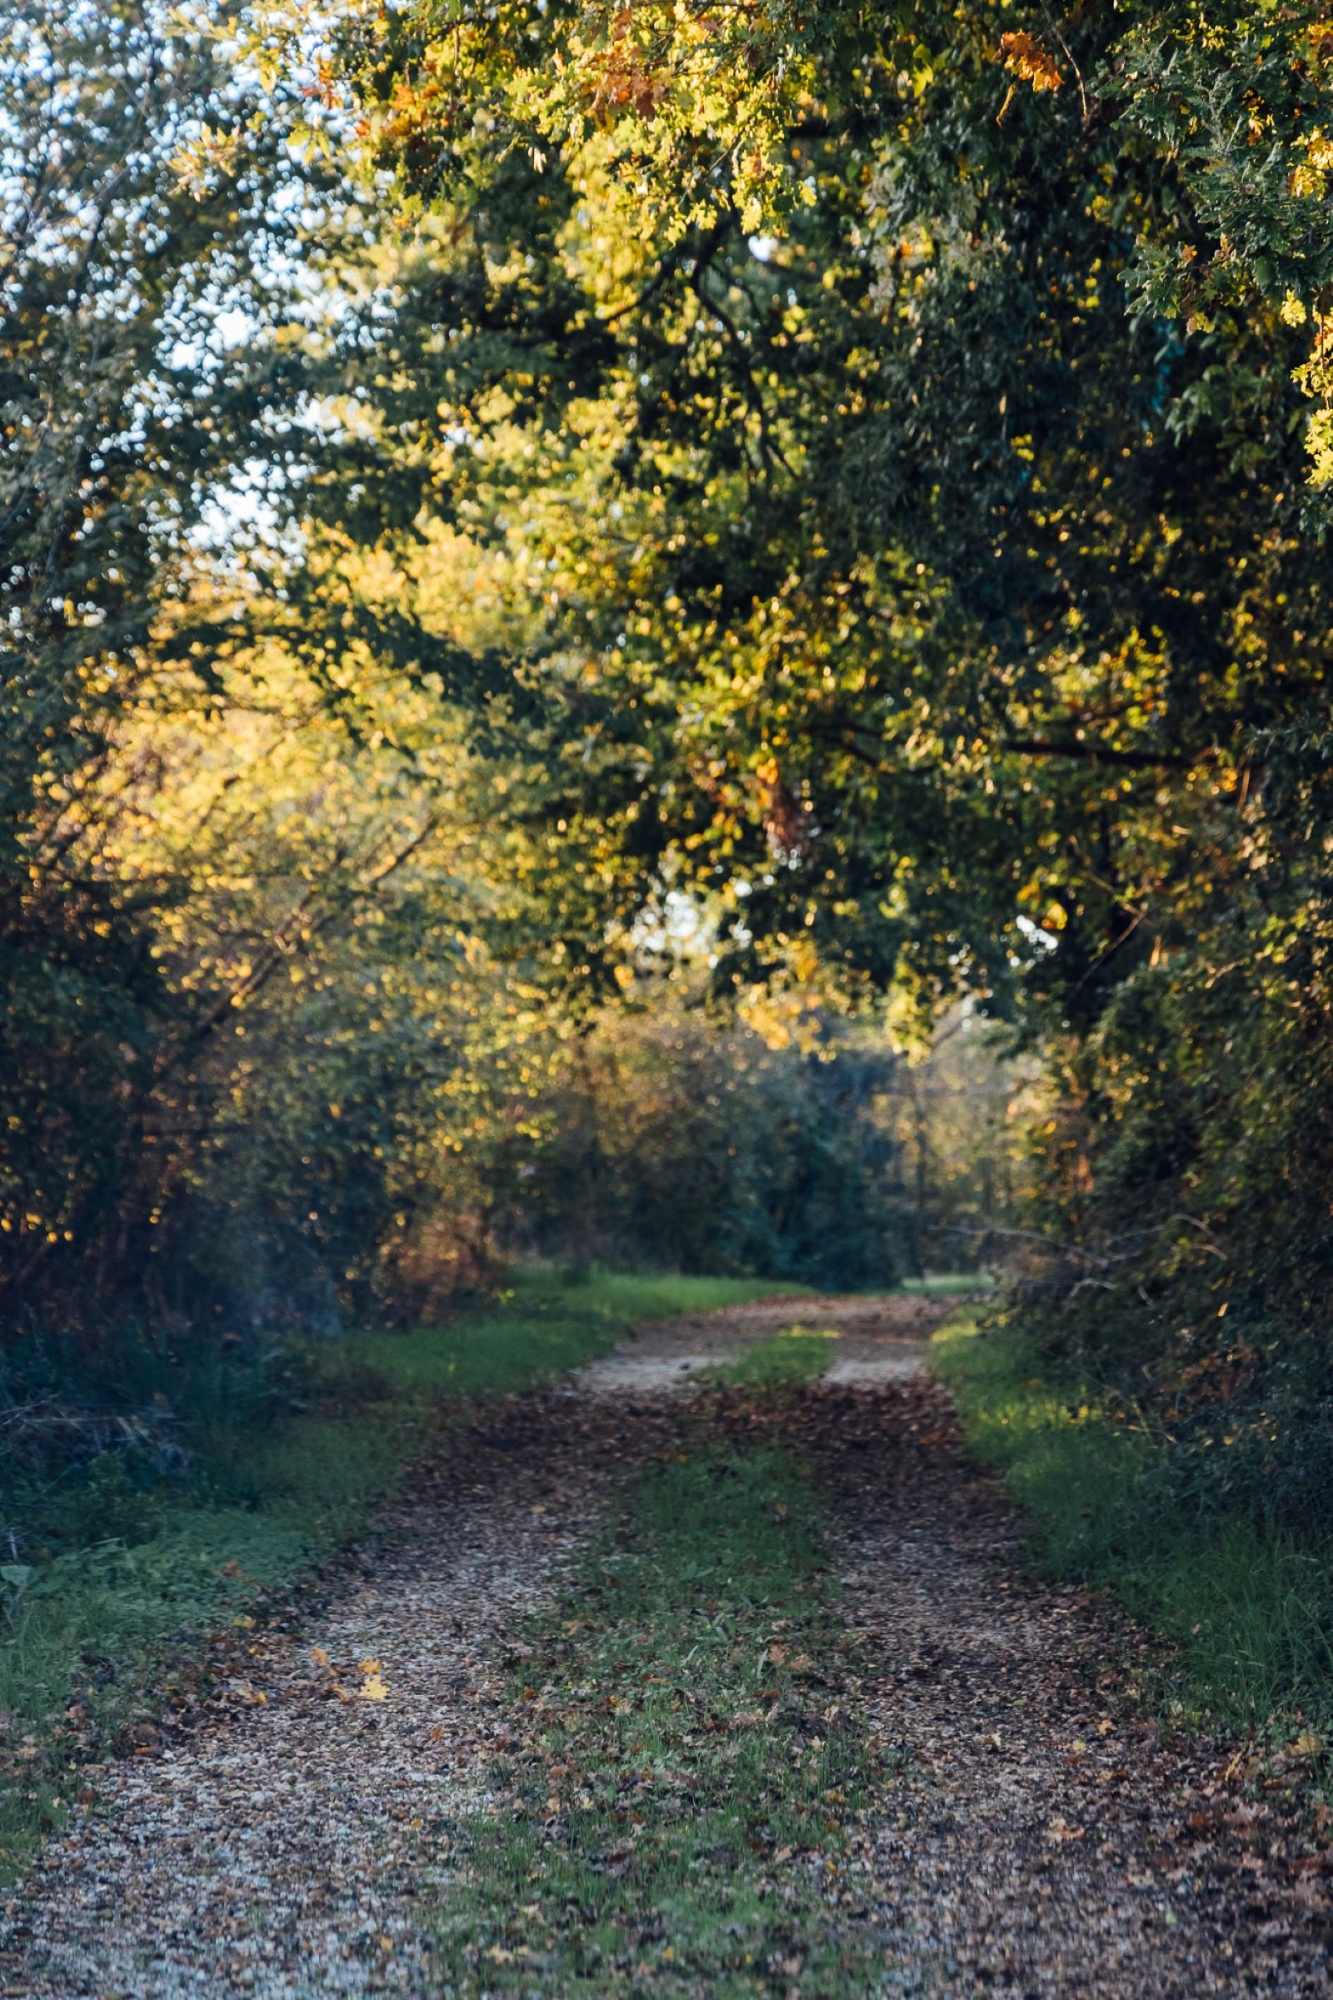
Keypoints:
(900, 429)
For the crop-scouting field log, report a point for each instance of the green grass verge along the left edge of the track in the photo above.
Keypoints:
(115, 1573)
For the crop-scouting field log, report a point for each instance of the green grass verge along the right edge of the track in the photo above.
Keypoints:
(1246, 1607)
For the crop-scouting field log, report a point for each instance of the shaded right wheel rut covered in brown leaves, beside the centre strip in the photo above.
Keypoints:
(1042, 1837)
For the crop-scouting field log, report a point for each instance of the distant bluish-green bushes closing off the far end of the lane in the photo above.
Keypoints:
(846, 1167)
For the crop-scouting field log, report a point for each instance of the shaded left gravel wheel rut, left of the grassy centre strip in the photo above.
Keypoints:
(281, 1843)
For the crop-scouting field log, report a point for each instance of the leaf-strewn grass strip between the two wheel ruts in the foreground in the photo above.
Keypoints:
(676, 1799)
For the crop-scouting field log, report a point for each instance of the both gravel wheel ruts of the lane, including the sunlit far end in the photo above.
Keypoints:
(1032, 1839)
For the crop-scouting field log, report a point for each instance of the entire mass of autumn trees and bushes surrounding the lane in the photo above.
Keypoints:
(519, 519)
